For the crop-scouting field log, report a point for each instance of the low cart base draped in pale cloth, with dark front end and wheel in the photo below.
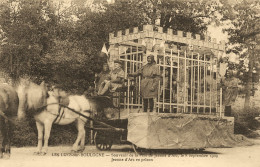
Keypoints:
(167, 131)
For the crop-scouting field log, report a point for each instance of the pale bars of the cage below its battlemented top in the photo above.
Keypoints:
(191, 70)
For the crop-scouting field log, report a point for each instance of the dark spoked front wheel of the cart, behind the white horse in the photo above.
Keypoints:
(102, 141)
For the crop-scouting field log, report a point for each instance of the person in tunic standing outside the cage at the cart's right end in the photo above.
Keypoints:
(230, 91)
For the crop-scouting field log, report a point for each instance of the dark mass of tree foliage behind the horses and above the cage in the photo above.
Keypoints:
(59, 44)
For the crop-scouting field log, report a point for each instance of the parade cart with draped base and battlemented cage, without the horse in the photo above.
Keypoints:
(188, 110)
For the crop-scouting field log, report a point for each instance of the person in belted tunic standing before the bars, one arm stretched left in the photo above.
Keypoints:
(150, 82)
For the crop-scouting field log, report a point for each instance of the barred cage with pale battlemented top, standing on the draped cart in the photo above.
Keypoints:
(188, 65)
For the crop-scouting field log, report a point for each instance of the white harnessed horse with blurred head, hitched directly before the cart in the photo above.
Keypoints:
(50, 107)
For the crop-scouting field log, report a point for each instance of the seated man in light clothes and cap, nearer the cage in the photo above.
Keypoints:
(116, 79)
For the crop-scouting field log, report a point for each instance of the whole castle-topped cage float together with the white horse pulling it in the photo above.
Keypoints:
(187, 114)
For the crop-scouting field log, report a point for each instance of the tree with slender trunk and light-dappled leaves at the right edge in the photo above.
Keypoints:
(244, 34)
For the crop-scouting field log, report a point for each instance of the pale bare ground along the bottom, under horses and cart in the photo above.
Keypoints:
(123, 155)
